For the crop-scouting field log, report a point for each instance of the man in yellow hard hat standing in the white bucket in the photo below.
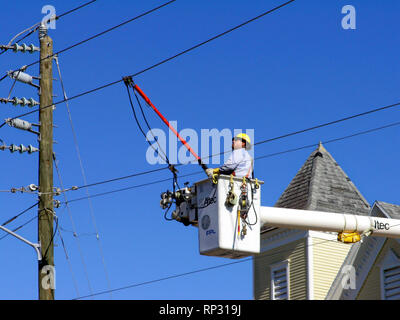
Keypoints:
(239, 163)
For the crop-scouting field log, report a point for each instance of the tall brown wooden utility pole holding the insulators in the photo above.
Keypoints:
(46, 213)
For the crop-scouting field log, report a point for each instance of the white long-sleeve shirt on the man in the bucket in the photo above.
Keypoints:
(238, 162)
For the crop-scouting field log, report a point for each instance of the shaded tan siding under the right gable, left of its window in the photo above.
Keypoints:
(371, 289)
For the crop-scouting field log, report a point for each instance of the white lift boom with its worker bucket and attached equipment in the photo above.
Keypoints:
(229, 217)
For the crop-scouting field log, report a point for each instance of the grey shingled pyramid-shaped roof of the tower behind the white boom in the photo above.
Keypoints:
(321, 185)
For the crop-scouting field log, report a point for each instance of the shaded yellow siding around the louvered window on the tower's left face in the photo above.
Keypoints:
(295, 252)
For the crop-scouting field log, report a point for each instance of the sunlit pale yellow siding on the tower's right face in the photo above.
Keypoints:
(328, 257)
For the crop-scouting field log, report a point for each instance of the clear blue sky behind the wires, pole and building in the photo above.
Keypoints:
(290, 70)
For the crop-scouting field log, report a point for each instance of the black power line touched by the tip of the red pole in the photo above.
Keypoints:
(163, 61)
